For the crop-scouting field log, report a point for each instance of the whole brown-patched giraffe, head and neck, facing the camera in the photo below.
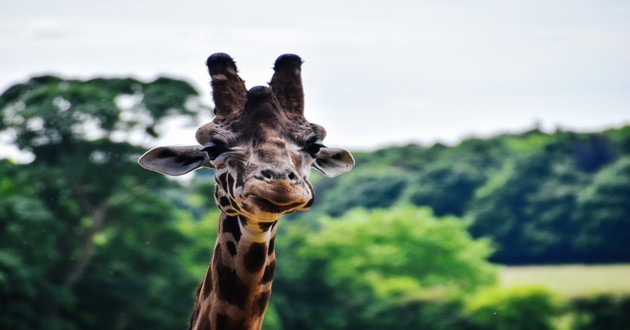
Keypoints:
(262, 149)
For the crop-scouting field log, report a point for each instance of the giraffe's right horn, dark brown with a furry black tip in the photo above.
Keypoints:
(286, 83)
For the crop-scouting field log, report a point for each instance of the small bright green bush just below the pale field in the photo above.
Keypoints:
(516, 308)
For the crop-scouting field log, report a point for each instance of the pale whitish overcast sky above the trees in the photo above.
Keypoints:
(375, 73)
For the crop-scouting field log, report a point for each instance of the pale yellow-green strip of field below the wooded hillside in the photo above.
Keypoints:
(571, 281)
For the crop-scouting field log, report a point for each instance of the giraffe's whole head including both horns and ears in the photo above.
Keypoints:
(259, 144)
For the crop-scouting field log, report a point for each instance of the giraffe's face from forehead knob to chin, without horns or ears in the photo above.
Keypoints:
(262, 159)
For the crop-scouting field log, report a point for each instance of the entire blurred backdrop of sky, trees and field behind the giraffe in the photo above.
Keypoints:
(492, 143)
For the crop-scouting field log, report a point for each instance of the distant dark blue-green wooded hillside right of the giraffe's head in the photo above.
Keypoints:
(542, 198)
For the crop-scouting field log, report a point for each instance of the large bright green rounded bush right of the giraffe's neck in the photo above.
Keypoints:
(364, 265)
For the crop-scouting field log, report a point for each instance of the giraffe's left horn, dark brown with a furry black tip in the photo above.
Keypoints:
(228, 89)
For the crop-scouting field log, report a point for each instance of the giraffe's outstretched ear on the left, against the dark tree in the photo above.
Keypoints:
(174, 160)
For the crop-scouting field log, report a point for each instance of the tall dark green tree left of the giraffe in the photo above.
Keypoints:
(87, 239)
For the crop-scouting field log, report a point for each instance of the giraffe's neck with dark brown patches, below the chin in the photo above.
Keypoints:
(237, 285)
